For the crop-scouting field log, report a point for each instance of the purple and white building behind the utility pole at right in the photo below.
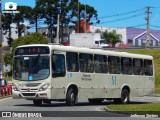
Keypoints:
(134, 36)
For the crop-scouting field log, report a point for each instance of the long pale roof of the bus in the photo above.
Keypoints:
(91, 51)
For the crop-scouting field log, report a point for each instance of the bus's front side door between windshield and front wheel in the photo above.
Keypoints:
(58, 76)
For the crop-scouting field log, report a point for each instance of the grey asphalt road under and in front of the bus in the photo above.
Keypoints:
(59, 110)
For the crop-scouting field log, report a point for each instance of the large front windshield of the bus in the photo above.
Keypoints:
(31, 67)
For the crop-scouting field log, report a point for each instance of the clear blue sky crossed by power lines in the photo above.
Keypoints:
(117, 13)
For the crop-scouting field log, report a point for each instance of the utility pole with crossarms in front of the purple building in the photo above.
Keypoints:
(147, 43)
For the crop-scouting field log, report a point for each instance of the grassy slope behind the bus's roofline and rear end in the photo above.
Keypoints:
(156, 55)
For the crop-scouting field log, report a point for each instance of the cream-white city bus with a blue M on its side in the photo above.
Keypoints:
(44, 73)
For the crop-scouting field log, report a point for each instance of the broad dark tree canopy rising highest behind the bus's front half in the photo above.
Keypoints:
(68, 11)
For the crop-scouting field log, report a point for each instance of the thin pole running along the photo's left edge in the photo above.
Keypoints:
(1, 65)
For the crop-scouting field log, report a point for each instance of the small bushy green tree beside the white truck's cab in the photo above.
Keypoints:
(112, 37)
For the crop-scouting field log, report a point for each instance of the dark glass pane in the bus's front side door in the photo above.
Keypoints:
(58, 65)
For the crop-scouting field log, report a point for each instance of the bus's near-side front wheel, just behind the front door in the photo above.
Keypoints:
(71, 97)
